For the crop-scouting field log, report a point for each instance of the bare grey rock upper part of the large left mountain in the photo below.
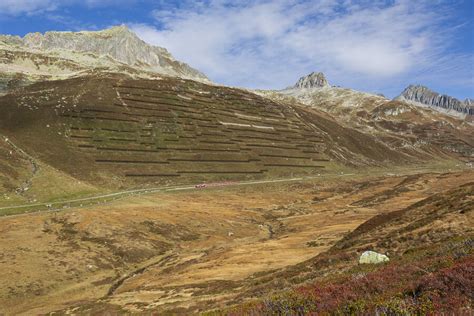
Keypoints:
(118, 43)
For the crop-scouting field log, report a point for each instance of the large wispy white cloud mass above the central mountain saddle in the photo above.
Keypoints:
(269, 44)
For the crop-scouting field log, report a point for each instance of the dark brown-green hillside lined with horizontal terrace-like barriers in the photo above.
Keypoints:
(108, 129)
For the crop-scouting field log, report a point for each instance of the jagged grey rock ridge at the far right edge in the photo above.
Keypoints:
(425, 96)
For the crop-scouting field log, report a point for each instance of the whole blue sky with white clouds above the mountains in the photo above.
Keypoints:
(378, 46)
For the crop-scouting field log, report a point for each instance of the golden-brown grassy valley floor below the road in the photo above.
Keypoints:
(192, 251)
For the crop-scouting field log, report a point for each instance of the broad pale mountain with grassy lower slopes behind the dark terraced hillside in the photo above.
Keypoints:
(59, 55)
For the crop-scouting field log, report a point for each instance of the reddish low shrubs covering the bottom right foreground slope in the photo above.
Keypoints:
(431, 281)
